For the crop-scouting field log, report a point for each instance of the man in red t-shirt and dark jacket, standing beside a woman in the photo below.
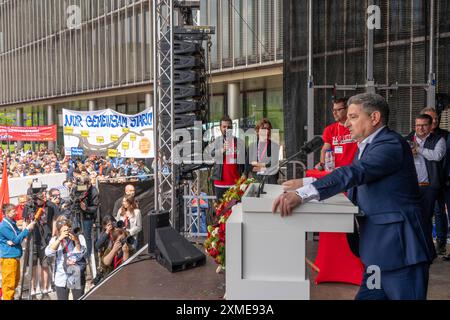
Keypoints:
(230, 169)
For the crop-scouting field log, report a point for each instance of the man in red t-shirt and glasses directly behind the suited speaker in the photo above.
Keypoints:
(337, 137)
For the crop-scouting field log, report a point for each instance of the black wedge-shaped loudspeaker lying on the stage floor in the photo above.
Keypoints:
(174, 252)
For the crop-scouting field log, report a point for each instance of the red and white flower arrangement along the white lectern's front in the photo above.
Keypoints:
(215, 243)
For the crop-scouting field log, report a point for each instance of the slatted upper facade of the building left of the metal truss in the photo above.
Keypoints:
(54, 48)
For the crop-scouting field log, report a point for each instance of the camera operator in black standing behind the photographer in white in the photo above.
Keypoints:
(85, 198)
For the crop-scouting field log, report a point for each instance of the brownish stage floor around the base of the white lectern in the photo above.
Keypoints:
(148, 280)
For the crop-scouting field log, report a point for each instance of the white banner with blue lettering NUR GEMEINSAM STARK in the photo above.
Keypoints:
(109, 133)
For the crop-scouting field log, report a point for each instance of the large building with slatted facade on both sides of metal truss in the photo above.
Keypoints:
(68, 54)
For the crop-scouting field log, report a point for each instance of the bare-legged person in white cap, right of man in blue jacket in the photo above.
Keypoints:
(41, 234)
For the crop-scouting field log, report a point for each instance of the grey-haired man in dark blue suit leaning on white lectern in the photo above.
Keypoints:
(382, 181)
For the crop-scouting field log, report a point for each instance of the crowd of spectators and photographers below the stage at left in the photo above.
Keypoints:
(63, 235)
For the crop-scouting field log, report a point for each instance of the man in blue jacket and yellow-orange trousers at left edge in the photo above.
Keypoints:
(11, 250)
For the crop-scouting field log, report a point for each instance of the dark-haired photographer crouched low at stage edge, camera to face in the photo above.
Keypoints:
(120, 252)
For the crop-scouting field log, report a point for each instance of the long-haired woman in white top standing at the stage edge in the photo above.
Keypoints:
(130, 215)
